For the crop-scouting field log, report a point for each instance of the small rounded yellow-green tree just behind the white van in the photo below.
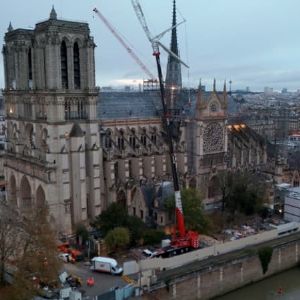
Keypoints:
(117, 238)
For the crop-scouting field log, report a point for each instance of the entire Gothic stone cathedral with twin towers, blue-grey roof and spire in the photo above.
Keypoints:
(78, 149)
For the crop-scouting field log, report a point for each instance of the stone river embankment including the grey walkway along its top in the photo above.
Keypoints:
(221, 274)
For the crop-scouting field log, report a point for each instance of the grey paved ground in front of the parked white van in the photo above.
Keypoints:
(103, 282)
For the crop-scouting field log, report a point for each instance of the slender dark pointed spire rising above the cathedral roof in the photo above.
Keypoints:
(173, 76)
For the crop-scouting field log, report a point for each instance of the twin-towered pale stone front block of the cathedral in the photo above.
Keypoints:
(52, 154)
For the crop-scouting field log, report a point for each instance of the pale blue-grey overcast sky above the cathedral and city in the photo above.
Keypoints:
(254, 43)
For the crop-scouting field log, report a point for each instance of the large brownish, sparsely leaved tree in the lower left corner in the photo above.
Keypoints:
(27, 249)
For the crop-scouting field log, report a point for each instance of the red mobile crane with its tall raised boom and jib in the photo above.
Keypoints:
(183, 240)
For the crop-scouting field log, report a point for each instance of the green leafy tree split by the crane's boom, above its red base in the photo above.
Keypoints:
(192, 209)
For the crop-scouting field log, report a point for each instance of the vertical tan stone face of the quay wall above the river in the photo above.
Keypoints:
(223, 277)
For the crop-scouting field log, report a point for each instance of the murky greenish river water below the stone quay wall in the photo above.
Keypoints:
(284, 286)
